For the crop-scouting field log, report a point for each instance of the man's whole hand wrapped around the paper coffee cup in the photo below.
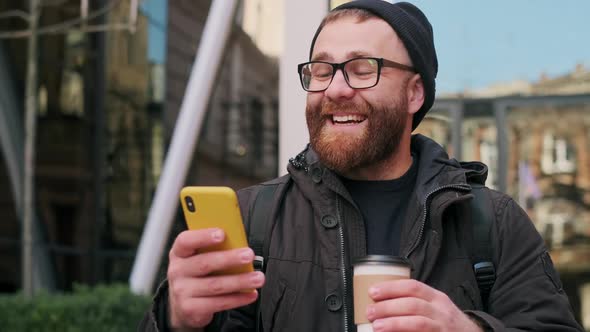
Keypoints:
(409, 305)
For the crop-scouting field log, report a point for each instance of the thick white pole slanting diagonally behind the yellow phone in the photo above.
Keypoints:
(179, 157)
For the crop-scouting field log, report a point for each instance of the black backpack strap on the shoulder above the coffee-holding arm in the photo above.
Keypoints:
(482, 216)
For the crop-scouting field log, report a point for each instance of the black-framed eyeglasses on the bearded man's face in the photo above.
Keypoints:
(359, 73)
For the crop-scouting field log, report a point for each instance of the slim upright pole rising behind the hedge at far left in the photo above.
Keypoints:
(30, 129)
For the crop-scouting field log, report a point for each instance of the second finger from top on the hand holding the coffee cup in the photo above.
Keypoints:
(404, 306)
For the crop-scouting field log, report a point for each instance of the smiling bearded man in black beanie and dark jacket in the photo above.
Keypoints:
(366, 186)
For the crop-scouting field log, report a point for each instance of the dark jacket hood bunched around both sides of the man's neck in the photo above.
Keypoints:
(435, 168)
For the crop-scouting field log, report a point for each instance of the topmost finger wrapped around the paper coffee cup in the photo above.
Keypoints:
(402, 288)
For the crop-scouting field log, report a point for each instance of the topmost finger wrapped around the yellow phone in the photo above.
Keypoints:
(187, 243)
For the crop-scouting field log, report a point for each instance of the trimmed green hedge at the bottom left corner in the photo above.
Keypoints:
(102, 308)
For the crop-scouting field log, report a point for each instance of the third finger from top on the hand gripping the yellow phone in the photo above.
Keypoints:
(217, 285)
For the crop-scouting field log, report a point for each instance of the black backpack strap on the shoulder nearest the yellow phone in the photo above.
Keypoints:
(259, 235)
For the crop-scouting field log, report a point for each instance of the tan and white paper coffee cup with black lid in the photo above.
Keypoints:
(368, 271)
